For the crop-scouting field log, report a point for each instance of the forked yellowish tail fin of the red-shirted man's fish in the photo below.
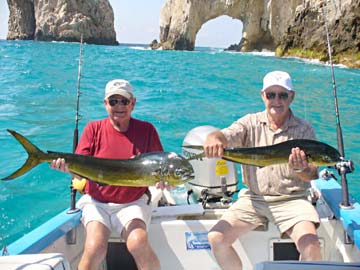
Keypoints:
(35, 156)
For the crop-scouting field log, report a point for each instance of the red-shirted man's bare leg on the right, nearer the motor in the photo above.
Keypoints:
(138, 245)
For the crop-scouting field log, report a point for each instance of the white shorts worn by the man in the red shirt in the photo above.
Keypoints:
(113, 215)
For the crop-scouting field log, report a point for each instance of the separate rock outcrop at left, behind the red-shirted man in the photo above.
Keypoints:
(62, 20)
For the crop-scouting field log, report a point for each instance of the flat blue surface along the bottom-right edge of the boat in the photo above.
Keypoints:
(296, 265)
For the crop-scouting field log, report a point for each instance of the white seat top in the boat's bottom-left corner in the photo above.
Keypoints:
(43, 261)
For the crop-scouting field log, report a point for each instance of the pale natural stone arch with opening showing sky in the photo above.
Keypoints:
(264, 22)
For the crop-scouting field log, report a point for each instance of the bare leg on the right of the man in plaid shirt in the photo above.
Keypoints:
(307, 242)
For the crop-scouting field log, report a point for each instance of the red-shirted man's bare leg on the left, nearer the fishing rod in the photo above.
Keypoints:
(95, 248)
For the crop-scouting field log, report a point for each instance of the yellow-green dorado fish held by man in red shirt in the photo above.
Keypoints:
(144, 170)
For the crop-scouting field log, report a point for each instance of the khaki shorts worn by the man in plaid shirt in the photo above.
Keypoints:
(284, 213)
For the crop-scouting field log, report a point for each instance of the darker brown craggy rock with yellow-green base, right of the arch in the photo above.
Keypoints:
(306, 36)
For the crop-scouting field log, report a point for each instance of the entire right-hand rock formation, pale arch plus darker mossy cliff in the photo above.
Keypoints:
(292, 27)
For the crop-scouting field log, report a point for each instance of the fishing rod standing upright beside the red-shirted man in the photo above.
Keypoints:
(73, 209)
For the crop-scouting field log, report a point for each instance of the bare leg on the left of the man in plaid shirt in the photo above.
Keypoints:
(221, 238)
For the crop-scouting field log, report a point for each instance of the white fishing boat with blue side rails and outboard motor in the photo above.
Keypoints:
(178, 233)
